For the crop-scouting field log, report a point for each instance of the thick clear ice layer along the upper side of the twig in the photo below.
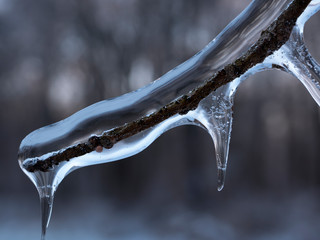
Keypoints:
(237, 37)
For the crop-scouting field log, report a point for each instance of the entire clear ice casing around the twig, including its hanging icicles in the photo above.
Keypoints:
(214, 113)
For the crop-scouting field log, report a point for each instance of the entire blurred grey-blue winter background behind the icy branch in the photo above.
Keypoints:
(57, 57)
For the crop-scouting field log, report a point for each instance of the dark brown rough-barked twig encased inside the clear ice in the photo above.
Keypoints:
(271, 39)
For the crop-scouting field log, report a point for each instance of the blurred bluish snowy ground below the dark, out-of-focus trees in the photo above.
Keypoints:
(246, 216)
